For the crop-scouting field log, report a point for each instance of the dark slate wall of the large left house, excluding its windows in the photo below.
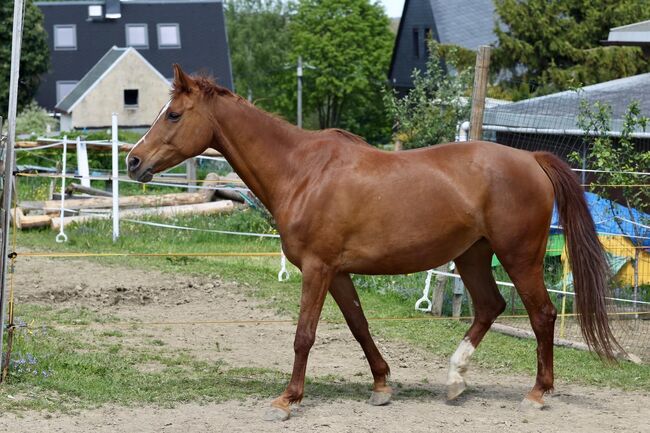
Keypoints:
(204, 45)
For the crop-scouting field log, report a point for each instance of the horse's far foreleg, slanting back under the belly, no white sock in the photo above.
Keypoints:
(345, 295)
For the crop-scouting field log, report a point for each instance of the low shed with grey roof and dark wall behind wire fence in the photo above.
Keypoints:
(551, 122)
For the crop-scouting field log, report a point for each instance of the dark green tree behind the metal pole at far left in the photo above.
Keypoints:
(35, 54)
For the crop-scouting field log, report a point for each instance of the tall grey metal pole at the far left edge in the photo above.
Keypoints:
(16, 40)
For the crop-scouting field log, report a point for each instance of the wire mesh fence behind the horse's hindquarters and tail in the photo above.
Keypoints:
(556, 123)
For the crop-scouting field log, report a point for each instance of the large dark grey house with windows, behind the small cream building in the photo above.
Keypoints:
(189, 32)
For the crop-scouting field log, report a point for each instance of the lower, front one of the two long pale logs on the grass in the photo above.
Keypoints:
(165, 211)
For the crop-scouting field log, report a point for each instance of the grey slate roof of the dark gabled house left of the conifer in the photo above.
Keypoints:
(468, 23)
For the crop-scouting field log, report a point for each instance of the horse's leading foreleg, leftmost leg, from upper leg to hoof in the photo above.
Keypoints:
(316, 280)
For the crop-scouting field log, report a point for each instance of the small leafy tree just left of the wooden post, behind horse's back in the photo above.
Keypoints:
(431, 112)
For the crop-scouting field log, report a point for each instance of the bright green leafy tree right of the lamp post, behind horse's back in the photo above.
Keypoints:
(349, 44)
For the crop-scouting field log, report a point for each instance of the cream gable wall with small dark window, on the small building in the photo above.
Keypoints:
(95, 109)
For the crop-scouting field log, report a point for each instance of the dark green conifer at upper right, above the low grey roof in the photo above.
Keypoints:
(554, 45)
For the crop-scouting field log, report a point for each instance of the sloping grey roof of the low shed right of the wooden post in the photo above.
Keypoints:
(560, 111)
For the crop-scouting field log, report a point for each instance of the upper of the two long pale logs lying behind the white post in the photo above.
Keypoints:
(125, 202)
